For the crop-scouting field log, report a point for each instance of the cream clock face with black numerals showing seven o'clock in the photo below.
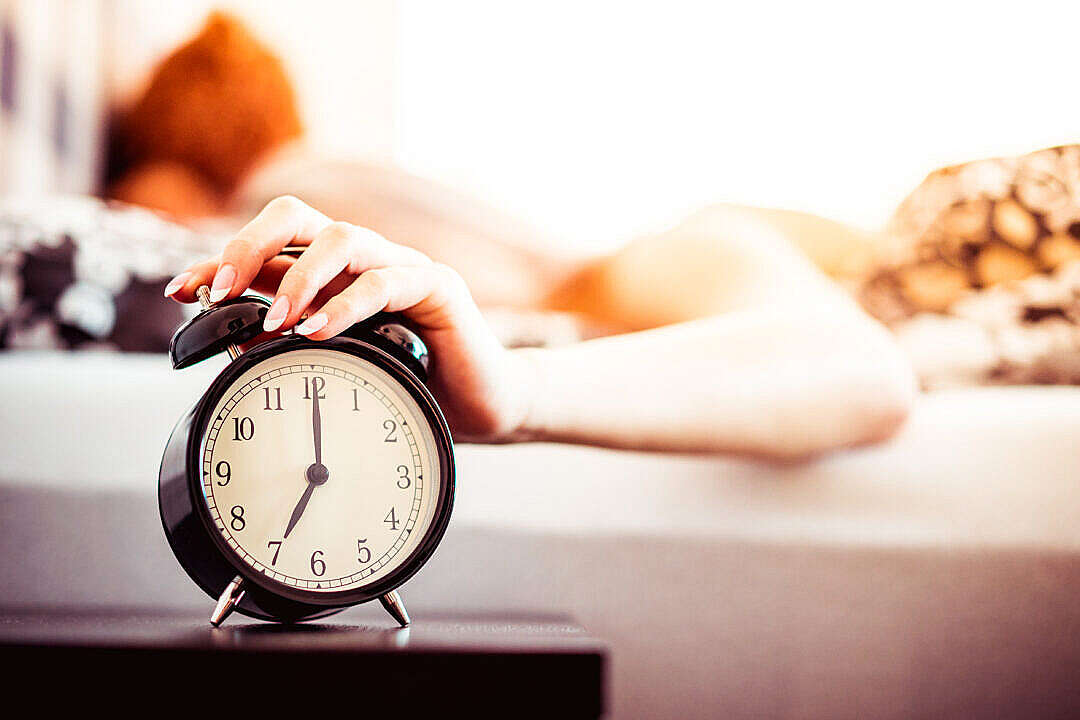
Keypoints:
(320, 471)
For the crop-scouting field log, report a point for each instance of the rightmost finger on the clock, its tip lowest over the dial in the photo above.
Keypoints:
(433, 294)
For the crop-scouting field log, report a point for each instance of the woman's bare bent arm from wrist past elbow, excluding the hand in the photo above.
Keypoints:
(760, 354)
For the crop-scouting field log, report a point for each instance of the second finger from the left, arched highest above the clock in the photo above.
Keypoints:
(282, 222)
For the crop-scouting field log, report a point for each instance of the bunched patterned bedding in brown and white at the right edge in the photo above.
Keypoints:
(982, 284)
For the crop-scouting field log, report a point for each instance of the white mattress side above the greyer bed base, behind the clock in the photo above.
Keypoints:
(974, 468)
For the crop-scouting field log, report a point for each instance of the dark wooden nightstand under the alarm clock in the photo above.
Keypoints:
(155, 661)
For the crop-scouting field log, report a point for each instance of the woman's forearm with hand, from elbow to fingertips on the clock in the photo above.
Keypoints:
(767, 378)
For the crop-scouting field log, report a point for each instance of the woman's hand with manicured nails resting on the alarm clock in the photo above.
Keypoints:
(349, 274)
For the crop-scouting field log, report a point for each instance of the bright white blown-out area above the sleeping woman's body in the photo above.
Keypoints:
(602, 119)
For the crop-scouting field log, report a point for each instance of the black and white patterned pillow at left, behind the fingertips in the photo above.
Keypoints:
(79, 274)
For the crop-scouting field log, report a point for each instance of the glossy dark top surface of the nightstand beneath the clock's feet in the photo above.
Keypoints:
(349, 633)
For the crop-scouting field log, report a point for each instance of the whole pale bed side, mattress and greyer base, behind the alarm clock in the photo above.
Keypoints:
(934, 576)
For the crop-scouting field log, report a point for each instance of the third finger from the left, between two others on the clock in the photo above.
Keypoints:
(339, 249)
